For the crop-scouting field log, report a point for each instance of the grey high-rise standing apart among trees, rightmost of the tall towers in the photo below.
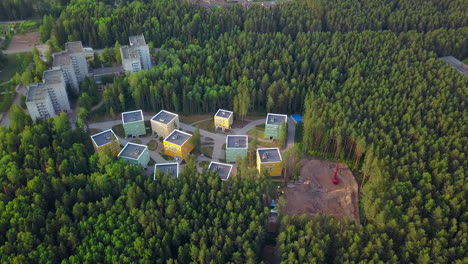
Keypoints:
(136, 56)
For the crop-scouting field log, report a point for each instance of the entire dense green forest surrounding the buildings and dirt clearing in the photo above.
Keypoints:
(366, 77)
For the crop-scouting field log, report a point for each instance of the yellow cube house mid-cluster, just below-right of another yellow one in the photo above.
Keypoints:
(178, 144)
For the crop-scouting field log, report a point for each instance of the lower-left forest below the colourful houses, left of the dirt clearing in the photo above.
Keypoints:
(61, 203)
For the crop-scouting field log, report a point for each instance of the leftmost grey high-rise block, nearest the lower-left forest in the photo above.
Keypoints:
(49, 98)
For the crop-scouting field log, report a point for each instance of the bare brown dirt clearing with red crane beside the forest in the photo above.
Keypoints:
(315, 193)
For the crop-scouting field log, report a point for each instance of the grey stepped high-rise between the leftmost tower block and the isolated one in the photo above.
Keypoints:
(73, 64)
